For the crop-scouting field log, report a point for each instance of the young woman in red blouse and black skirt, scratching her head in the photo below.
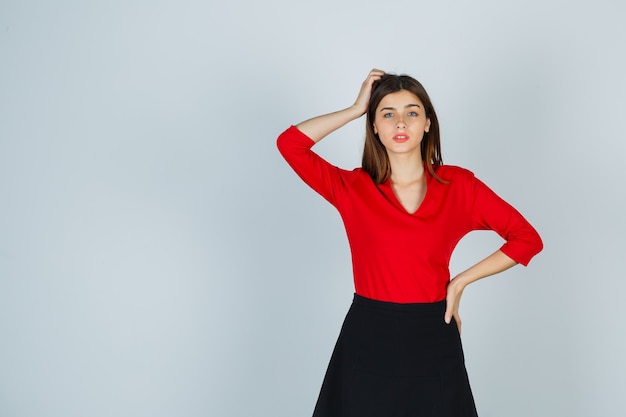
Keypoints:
(399, 351)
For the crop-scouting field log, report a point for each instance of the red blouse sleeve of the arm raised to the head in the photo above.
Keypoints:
(328, 180)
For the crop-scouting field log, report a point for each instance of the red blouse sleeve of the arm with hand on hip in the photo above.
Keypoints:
(490, 212)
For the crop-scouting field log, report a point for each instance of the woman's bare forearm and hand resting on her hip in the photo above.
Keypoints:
(493, 264)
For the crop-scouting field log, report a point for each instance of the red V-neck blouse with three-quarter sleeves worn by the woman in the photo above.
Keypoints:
(402, 257)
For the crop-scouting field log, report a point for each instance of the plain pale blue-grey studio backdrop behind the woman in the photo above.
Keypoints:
(159, 258)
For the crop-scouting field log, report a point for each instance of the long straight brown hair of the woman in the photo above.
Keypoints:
(375, 159)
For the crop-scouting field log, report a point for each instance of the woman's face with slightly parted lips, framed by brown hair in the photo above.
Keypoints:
(400, 122)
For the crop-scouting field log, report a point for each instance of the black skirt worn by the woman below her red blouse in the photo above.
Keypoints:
(395, 360)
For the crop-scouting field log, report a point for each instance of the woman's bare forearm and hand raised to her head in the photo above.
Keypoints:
(319, 127)
